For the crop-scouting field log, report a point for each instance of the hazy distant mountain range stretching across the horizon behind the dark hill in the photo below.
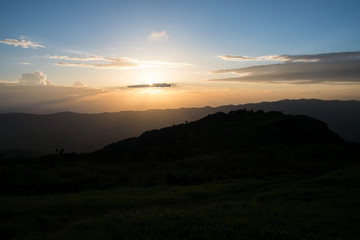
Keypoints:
(75, 132)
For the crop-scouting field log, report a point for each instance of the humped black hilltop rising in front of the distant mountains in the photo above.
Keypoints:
(241, 129)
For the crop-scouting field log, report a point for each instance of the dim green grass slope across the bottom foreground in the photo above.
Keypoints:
(288, 207)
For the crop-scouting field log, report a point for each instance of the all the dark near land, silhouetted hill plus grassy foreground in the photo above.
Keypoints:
(241, 175)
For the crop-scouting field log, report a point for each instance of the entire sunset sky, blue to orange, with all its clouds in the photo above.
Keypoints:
(106, 56)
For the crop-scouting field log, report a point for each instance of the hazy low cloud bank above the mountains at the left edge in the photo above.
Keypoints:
(50, 99)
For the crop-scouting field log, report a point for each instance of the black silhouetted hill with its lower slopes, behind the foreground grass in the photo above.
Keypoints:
(232, 145)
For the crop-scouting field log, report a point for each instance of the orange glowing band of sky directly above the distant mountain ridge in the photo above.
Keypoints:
(92, 100)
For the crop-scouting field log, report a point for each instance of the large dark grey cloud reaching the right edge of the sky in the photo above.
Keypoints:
(341, 68)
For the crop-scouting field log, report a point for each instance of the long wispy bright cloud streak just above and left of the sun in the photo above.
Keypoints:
(101, 62)
